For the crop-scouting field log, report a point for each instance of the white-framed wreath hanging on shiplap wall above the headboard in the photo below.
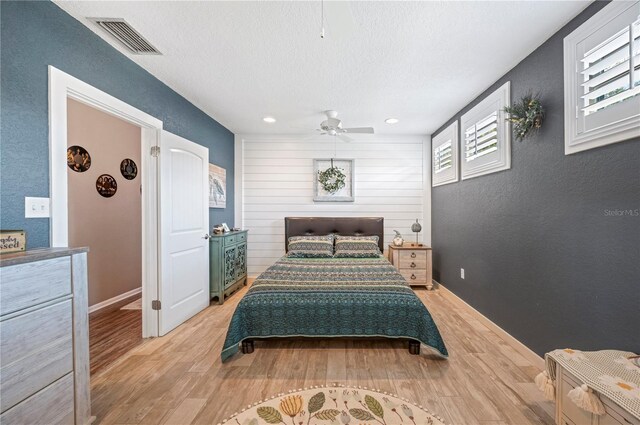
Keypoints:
(333, 180)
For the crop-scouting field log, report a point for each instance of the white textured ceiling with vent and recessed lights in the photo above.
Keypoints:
(419, 62)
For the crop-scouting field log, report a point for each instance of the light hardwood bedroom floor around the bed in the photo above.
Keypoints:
(179, 379)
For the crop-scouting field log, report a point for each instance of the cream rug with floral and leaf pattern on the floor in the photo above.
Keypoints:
(335, 405)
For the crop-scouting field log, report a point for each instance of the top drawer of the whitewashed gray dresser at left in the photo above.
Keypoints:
(26, 285)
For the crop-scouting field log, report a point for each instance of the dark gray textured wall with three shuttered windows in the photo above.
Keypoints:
(542, 257)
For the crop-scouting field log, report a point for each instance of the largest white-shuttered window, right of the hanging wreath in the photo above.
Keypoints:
(602, 78)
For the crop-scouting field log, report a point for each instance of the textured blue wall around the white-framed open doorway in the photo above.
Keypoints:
(35, 34)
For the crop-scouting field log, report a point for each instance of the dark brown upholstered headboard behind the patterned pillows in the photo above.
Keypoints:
(344, 226)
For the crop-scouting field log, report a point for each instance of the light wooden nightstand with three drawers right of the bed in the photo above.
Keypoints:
(413, 262)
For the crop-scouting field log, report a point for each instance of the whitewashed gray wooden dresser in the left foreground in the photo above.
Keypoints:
(44, 337)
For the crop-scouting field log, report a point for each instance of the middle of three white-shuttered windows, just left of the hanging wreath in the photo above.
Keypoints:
(486, 135)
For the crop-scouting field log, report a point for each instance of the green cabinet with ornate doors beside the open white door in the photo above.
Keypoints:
(227, 263)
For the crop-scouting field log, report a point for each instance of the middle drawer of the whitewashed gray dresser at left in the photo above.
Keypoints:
(35, 350)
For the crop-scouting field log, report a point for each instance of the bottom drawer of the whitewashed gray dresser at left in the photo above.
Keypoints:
(51, 406)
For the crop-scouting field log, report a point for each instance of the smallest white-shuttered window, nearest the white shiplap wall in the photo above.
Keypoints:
(444, 150)
